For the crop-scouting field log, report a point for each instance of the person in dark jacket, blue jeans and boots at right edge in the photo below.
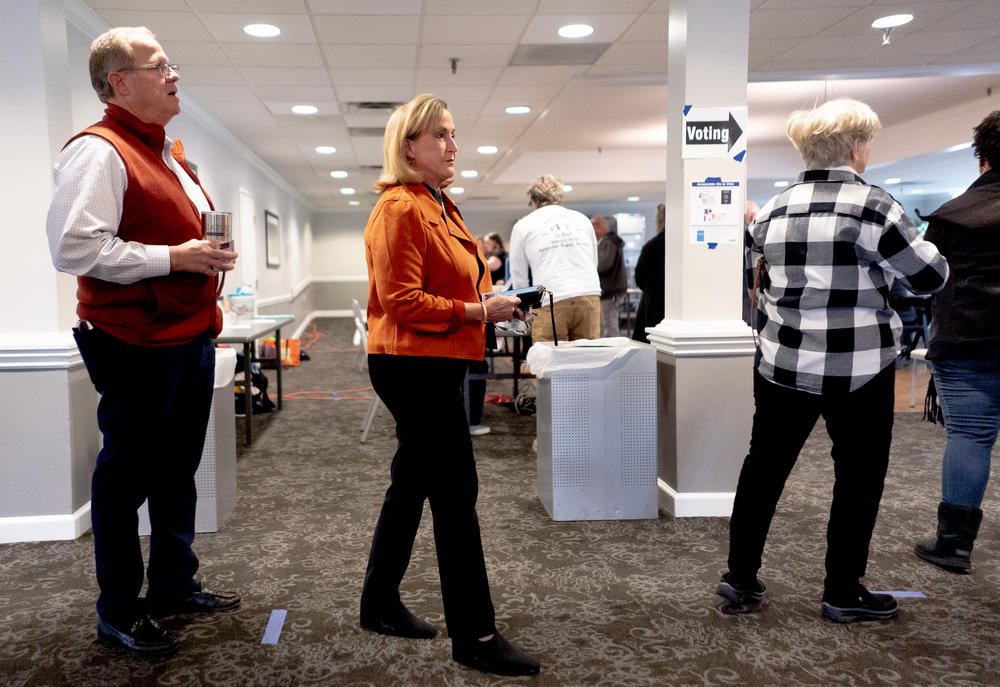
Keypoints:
(965, 351)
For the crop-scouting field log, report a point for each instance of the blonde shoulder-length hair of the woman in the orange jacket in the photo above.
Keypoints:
(408, 123)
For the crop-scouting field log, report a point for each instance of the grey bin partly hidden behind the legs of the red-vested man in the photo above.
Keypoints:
(215, 479)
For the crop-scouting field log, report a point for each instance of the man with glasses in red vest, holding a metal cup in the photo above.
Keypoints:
(125, 219)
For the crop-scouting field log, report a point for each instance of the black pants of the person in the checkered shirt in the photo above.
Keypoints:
(860, 426)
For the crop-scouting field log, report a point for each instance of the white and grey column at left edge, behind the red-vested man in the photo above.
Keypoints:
(48, 433)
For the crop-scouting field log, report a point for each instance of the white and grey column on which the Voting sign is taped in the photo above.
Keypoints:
(704, 350)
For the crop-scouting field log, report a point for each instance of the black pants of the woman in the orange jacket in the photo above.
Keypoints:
(433, 461)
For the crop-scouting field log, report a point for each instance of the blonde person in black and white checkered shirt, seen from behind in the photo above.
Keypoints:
(826, 249)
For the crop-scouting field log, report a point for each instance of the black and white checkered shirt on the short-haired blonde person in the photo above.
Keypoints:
(831, 242)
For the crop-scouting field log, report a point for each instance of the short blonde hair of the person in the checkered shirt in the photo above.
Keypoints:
(825, 135)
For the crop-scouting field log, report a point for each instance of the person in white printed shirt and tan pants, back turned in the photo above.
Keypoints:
(555, 247)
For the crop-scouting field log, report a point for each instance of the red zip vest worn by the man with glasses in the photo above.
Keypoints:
(160, 311)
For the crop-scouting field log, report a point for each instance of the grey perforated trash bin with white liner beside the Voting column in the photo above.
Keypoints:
(596, 418)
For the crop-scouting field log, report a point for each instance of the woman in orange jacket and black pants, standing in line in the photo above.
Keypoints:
(427, 321)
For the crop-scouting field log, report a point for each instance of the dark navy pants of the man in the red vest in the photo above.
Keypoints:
(153, 413)
